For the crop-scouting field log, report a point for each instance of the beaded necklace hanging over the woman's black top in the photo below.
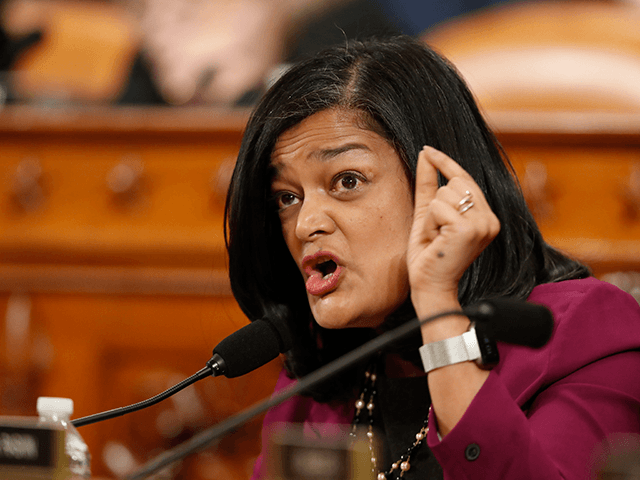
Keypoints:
(366, 401)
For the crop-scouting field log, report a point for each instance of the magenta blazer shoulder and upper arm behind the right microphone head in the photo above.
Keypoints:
(592, 320)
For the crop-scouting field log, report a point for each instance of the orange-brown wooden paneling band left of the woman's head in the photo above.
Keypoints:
(133, 186)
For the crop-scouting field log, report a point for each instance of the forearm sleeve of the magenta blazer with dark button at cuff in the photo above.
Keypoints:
(557, 438)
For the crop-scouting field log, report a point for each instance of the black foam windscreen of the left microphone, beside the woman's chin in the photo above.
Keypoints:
(253, 346)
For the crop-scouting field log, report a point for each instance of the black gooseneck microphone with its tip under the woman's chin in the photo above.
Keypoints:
(241, 352)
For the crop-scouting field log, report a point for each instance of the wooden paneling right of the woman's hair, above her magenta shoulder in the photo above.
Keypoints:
(580, 174)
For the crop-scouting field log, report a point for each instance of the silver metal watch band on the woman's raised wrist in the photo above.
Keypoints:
(458, 349)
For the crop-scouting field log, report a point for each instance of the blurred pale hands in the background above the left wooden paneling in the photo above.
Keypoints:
(213, 51)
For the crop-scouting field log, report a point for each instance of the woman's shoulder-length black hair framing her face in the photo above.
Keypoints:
(408, 94)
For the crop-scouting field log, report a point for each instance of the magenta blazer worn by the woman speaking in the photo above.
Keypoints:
(542, 414)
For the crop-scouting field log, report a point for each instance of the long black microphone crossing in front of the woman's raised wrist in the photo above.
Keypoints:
(502, 316)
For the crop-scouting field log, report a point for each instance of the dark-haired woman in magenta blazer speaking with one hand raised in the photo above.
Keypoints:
(369, 190)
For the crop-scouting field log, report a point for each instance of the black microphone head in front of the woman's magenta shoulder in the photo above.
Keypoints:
(513, 321)
